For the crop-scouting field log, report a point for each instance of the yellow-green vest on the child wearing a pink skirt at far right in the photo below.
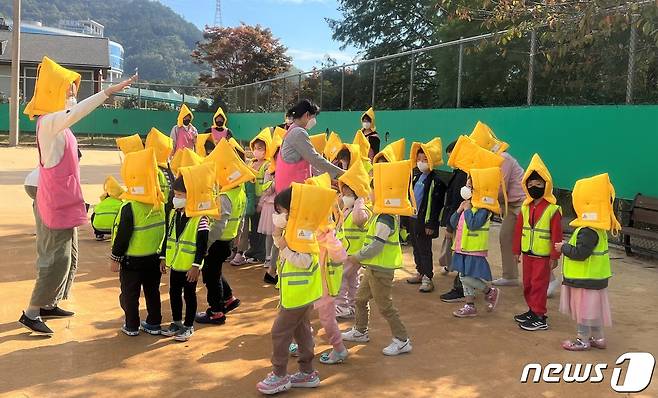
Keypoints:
(596, 266)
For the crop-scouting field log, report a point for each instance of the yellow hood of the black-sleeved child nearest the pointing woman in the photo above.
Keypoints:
(139, 172)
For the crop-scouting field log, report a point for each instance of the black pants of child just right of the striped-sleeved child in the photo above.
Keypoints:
(216, 285)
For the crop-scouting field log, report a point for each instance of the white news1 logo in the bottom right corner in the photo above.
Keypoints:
(636, 377)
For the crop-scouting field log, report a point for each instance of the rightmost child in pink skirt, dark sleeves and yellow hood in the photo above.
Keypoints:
(586, 267)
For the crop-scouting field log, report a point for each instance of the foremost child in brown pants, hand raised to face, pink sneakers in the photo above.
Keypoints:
(300, 210)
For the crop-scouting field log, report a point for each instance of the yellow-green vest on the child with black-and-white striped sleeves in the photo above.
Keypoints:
(181, 251)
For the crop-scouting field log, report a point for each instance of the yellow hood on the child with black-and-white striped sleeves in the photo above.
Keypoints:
(200, 183)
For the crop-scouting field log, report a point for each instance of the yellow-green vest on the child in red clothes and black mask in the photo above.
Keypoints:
(537, 240)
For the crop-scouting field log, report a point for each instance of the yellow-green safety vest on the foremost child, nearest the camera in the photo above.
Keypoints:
(299, 288)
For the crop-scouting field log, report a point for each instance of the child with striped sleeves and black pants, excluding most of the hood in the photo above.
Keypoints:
(183, 253)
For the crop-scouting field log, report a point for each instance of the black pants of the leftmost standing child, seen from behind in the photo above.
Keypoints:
(139, 273)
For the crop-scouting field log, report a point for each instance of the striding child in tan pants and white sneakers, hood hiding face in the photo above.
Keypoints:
(381, 255)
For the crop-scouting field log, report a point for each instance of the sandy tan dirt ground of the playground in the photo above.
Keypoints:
(477, 357)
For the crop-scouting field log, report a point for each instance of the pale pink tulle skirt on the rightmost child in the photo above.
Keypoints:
(587, 307)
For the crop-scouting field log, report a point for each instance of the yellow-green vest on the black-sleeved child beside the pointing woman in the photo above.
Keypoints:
(148, 228)
